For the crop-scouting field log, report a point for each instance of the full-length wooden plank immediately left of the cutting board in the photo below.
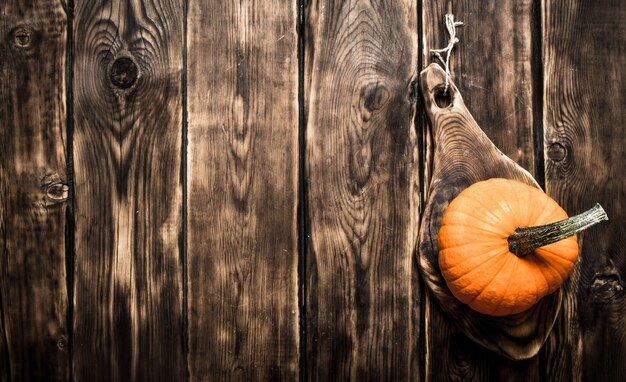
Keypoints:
(363, 190)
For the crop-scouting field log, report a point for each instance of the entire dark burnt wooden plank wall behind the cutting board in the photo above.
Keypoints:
(231, 190)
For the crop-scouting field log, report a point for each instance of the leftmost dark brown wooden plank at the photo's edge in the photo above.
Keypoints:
(33, 192)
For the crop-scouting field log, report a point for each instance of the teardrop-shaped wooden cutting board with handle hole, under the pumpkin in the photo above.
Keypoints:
(463, 155)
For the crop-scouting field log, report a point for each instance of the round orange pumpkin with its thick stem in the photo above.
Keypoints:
(503, 245)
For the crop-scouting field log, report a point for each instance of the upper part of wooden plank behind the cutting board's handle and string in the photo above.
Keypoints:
(491, 66)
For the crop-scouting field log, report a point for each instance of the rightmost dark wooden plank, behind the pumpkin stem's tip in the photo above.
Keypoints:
(584, 87)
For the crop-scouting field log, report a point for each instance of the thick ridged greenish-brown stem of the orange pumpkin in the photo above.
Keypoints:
(526, 239)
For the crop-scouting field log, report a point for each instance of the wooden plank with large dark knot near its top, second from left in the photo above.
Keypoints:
(128, 313)
